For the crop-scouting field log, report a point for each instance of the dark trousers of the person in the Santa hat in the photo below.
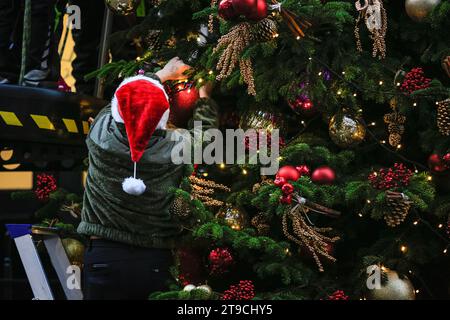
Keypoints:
(116, 271)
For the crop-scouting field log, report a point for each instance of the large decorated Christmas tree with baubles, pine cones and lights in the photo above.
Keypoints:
(360, 93)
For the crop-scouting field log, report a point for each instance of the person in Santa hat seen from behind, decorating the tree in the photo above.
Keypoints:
(126, 202)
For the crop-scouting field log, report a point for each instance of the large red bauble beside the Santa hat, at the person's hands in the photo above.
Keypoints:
(183, 98)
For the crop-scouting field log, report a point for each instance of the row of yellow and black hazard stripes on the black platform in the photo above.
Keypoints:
(44, 122)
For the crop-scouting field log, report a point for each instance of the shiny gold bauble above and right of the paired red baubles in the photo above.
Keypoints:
(346, 131)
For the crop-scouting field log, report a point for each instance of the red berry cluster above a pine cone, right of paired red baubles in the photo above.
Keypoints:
(395, 177)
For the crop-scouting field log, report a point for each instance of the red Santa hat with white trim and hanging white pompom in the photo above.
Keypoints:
(143, 106)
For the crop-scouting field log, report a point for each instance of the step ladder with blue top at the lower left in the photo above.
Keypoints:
(25, 236)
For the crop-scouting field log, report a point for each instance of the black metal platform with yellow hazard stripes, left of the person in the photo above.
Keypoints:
(46, 129)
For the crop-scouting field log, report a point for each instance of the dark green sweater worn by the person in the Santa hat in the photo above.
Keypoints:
(110, 213)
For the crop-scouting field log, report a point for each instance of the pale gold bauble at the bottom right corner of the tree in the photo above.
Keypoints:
(395, 288)
